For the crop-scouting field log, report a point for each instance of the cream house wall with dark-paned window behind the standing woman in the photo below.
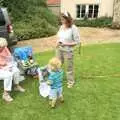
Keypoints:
(80, 9)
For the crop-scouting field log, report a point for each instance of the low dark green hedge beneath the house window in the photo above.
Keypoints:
(99, 22)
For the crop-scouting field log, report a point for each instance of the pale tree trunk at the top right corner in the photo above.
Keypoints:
(116, 15)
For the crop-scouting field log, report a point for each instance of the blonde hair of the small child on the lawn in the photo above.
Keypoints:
(55, 64)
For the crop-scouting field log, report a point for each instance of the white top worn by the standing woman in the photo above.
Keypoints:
(68, 35)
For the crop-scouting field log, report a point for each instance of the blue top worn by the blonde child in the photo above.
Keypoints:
(56, 79)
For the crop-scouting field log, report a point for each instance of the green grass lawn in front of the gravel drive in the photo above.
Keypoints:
(96, 95)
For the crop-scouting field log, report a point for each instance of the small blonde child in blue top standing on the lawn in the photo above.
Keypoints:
(55, 81)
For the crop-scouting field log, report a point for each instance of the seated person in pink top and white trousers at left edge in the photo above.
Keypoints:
(9, 71)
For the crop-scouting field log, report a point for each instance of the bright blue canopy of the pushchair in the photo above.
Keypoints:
(22, 53)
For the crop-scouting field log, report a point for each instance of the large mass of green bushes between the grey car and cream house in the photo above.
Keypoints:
(31, 18)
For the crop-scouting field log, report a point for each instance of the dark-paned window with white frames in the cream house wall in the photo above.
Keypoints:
(90, 11)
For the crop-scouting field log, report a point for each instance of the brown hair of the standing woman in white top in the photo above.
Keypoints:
(68, 18)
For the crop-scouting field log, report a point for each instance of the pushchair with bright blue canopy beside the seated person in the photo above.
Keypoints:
(26, 62)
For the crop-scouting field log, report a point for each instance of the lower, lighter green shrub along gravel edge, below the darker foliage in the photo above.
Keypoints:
(26, 31)
